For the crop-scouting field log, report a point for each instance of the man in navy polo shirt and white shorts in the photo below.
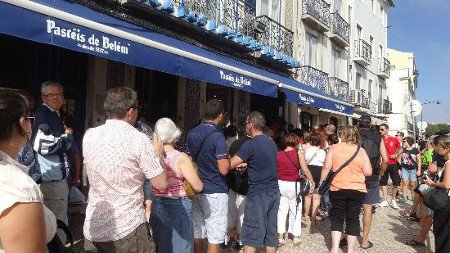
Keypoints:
(206, 145)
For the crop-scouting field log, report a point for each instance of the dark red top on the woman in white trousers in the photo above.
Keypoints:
(286, 169)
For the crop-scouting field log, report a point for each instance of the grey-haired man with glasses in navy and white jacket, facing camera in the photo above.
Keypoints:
(52, 140)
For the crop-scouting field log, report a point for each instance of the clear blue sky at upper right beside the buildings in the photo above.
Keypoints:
(423, 27)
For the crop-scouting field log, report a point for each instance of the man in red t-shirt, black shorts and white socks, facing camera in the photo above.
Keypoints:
(394, 150)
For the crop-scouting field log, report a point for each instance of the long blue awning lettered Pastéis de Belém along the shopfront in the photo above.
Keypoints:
(69, 25)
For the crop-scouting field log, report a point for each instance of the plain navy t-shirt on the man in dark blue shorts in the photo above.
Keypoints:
(260, 154)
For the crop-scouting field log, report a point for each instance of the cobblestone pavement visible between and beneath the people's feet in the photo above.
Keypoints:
(389, 234)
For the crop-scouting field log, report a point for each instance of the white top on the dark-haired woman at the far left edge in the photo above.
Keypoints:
(17, 187)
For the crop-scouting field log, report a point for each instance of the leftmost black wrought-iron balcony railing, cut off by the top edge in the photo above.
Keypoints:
(234, 14)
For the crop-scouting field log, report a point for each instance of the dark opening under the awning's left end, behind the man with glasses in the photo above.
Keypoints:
(25, 65)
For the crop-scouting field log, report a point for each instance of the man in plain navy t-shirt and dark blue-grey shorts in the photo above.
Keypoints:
(259, 228)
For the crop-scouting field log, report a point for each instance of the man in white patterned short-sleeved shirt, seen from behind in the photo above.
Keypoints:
(118, 158)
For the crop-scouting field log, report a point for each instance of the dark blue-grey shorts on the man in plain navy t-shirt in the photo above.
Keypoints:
(260, 220)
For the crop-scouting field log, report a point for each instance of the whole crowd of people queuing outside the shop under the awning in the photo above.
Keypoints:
(238, 186)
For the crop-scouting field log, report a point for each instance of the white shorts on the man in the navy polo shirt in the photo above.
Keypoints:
(209, 215)
